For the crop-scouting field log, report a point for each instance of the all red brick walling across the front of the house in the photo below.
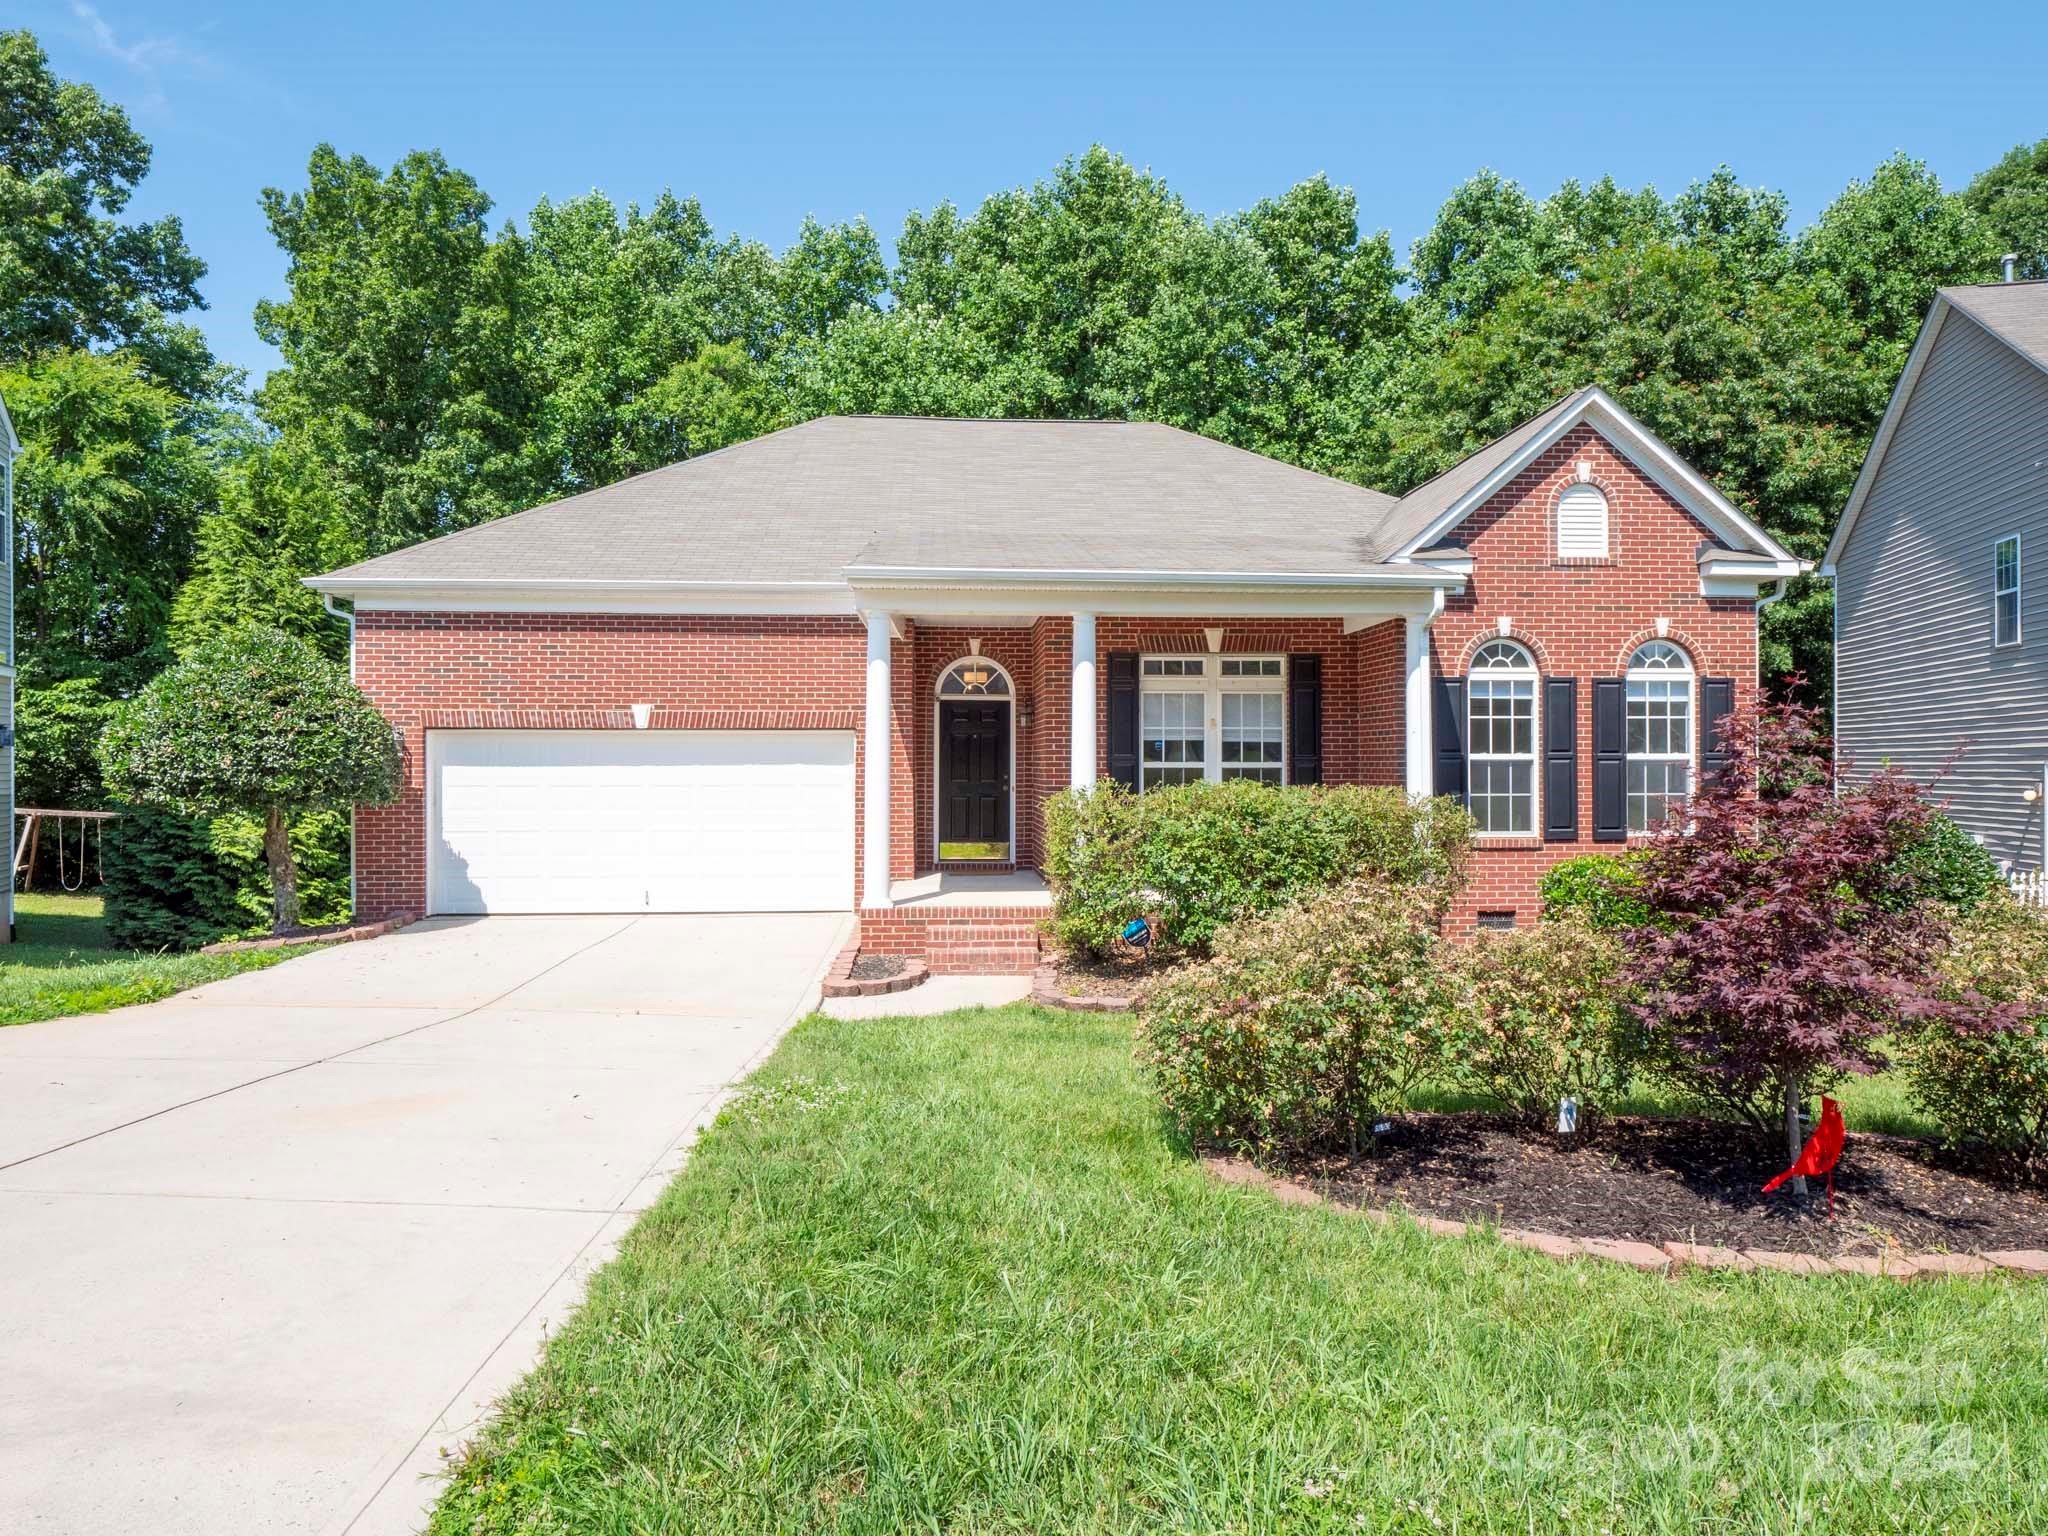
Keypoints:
(728, 673)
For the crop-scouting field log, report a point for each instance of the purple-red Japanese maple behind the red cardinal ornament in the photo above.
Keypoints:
(1787, 933)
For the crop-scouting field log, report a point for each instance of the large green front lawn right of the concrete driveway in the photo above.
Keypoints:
(953, 1275)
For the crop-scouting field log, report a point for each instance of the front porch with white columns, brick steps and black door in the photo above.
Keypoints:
(992, 714)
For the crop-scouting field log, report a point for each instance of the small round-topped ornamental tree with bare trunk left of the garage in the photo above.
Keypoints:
(253, 722)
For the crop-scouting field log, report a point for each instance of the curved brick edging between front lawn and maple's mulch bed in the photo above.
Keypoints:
(1656, 1258)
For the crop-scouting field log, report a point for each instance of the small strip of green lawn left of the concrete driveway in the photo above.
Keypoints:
(62, 964)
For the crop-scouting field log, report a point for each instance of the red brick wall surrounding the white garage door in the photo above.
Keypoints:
(585, 671)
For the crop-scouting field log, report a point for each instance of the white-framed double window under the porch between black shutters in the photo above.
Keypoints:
(1211, 718)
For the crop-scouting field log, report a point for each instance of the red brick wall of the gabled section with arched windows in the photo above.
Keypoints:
(1582, 620)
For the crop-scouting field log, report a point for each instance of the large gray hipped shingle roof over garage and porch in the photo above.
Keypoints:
(810, 501)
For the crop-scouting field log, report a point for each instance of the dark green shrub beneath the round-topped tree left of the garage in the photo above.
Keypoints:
(171, 886)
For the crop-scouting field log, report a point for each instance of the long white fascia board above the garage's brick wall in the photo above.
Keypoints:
(400, 595)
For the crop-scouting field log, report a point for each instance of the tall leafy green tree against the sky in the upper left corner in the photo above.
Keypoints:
(73, 275)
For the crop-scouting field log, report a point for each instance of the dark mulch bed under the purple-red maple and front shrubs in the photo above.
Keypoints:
(1687, 1183)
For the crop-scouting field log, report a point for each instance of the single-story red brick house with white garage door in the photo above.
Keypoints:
(667, 695)
